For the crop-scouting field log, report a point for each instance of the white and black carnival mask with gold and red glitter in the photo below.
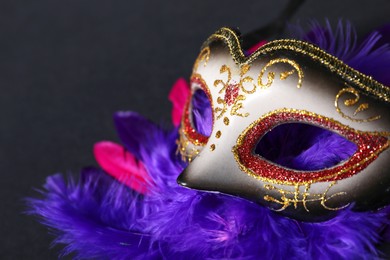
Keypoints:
(295, 87)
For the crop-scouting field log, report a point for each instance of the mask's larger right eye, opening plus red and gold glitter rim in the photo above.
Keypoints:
(257, 153)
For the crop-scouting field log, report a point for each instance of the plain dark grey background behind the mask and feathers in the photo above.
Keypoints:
(67, 66)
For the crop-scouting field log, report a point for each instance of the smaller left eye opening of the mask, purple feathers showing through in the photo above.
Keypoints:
(201, 113)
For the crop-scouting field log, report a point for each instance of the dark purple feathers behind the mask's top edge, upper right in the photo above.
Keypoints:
(371, 56)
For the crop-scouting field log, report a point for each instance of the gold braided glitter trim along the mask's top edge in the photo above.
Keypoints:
(355, 78)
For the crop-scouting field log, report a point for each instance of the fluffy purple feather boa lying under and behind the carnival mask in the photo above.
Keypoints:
(97, 217)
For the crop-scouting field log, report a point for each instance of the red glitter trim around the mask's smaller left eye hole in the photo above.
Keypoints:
(190, 132)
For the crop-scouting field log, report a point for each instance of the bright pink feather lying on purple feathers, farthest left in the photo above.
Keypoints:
(122, 165)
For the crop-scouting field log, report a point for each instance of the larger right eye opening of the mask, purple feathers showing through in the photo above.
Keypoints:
(304, 147)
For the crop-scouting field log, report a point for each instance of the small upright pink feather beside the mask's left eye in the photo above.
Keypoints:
(178, 96)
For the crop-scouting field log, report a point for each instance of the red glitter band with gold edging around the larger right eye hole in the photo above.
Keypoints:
(370, 145)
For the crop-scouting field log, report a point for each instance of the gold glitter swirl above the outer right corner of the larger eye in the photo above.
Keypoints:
(352, 102)
